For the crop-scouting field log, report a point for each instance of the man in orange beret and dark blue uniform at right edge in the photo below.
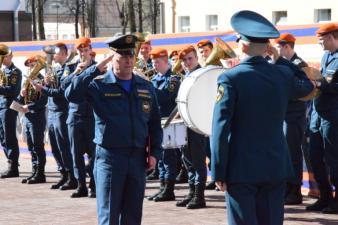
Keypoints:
(324, 145)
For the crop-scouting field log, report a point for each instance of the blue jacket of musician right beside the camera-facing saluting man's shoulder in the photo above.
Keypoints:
(166, 87)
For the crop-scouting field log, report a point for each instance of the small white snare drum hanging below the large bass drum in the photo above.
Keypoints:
(174, 135)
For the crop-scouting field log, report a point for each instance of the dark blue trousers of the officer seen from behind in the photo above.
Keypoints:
(255, 204)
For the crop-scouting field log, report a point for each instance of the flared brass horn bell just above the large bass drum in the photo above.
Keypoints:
(220, 51)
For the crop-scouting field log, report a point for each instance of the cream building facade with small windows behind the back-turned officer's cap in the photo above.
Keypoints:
(213, 15)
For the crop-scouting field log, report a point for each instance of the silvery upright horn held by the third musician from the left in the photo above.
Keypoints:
(50, 75)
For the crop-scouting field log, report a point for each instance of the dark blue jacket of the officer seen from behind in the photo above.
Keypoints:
(247, 141)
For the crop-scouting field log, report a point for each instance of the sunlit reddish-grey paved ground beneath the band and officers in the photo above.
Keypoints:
(23, 204)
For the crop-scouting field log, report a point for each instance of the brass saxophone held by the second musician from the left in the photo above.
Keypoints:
(31, 94)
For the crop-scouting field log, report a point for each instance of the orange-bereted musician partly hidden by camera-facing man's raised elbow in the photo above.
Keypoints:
(80, 123)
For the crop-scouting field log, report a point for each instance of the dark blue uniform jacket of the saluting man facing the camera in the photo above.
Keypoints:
(122, 119)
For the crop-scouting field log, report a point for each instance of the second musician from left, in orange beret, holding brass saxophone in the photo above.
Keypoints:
(34, 107)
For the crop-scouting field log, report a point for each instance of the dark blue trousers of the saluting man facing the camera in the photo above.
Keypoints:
(120, 184)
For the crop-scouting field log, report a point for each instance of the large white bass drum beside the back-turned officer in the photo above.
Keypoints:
(196, 98)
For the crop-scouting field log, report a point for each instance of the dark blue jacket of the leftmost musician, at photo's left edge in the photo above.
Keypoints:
(10, 91)
